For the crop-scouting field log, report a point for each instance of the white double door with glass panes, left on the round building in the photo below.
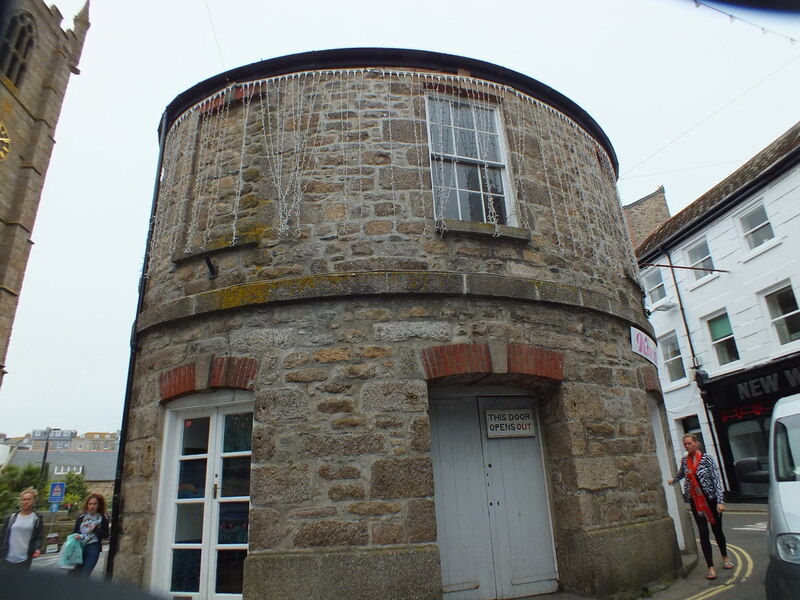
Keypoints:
(204, 509)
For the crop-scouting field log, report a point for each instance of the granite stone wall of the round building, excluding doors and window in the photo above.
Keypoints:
(344, 316)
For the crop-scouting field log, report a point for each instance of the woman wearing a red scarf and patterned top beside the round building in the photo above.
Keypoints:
(703, 490)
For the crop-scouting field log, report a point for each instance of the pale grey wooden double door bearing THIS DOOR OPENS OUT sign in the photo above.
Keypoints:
(492, 512)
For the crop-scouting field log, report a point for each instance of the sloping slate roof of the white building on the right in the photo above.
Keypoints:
(721, 193)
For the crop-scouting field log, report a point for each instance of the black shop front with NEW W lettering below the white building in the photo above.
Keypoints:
(740, 405)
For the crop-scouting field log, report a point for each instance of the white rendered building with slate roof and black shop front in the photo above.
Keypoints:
(722, 283)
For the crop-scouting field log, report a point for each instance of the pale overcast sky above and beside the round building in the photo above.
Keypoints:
(684, 93)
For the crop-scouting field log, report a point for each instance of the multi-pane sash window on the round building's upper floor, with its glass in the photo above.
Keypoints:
(467, 165)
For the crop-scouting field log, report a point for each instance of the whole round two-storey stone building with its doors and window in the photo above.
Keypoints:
(383, 347)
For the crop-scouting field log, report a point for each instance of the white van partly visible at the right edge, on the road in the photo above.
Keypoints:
(783, 573)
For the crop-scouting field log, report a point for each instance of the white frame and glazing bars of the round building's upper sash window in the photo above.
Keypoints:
(438, 159)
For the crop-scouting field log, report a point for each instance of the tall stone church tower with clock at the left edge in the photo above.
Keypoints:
(37, 58)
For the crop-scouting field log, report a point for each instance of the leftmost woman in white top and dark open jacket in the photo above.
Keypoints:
(22, 533)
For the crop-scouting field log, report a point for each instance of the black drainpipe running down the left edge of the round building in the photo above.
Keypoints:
(117, 502)
